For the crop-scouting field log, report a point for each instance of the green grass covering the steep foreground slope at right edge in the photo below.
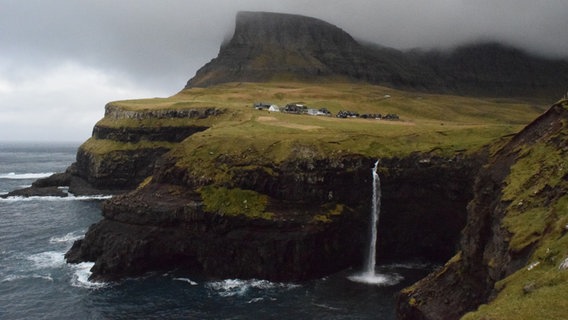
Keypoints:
(537, 220)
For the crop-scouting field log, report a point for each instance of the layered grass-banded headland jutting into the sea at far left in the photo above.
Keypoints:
(123, 150)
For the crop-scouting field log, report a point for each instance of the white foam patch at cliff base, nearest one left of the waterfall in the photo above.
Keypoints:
(238, 287)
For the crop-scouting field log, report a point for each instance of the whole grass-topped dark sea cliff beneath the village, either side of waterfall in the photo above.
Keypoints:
(282, 196)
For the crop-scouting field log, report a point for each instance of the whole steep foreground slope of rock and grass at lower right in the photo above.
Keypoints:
(513, 248)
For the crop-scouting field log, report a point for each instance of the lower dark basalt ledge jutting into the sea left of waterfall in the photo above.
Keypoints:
(151, 230)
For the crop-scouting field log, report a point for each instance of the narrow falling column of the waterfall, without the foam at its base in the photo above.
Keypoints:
(375, 213)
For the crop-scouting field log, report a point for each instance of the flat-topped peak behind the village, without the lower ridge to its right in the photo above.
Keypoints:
(274, 46)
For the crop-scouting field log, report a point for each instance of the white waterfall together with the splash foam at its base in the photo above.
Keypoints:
(368, 275)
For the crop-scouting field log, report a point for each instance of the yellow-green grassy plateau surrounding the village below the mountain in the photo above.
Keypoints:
(427, 122)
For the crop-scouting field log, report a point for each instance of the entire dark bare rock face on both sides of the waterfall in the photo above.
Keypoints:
(164, 226)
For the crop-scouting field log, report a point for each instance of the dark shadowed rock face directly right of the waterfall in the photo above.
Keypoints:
(424, 202)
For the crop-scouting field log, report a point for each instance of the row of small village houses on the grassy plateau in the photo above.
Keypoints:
(300, 108)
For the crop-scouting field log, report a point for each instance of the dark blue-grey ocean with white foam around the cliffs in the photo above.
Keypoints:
(36, 283)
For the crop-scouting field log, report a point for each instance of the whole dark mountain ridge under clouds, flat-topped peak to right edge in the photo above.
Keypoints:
(274, 46)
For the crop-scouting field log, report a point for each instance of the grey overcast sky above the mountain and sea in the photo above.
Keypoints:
(62, 60)
